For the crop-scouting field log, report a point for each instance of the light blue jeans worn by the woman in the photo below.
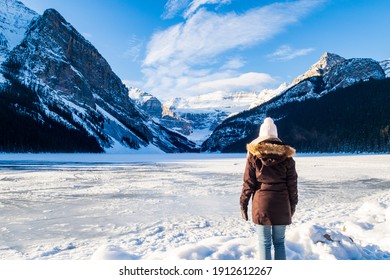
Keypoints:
(269, 235)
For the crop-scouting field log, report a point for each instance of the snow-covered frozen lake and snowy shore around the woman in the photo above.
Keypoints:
(163, 206)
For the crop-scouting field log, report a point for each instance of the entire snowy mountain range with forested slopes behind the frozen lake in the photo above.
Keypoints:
(58, 94)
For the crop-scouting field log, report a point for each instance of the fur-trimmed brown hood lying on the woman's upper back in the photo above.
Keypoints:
(270, 153)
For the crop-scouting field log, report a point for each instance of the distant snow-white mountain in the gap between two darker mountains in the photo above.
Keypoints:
(197, 116)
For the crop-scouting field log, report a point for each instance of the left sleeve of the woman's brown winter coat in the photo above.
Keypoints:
(250, 182)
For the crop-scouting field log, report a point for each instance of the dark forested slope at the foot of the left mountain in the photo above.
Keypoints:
(24, 127)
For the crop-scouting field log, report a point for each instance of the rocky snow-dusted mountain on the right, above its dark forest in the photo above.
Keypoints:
(329, 74)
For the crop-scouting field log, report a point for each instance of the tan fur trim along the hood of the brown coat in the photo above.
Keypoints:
(263, 149)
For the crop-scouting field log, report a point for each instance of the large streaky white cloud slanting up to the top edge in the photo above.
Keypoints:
(206, 34)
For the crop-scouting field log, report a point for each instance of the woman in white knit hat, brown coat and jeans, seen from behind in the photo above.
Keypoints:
(270, 179)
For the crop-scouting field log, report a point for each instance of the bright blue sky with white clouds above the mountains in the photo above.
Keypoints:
(174, 48)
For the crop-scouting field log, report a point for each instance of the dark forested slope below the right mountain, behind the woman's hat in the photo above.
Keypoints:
(353, 119)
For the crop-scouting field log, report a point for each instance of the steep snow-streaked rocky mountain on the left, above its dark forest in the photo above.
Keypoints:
(75, 87)
